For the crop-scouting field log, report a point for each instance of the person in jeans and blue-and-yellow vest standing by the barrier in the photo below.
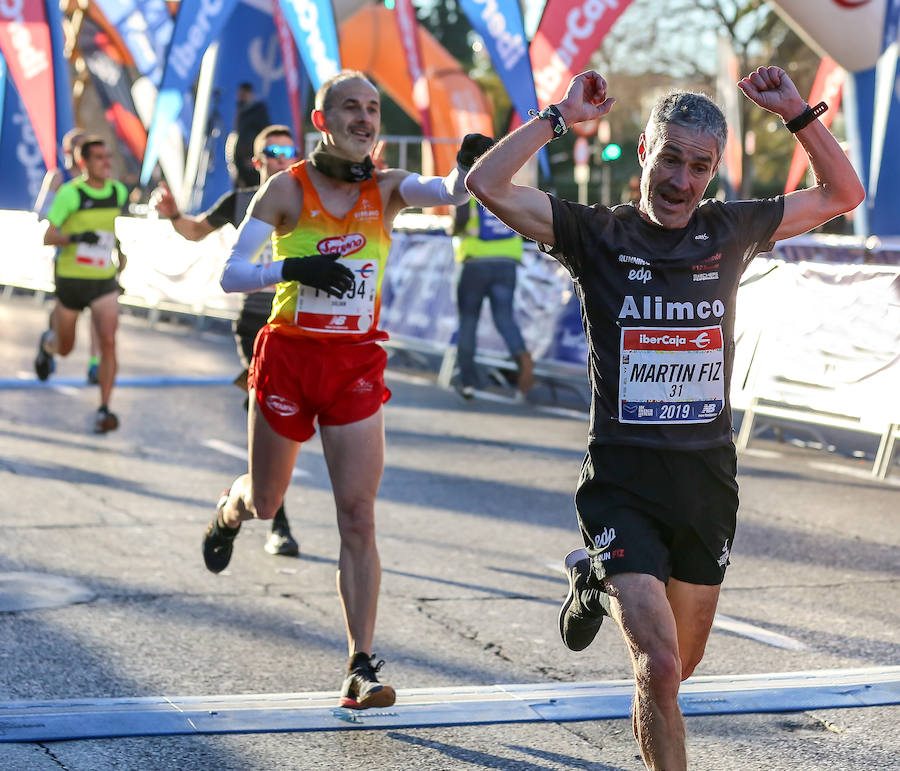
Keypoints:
(490, 253)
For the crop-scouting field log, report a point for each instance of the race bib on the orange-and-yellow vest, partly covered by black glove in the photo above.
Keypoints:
(352, 313)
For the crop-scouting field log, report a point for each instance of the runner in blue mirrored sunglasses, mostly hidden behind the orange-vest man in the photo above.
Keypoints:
(273, 151)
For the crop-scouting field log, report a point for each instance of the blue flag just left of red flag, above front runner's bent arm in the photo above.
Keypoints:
(501, 27)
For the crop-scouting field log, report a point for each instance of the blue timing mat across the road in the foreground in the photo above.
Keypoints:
(427, 707)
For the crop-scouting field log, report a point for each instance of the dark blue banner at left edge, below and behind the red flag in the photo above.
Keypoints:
(22, 166)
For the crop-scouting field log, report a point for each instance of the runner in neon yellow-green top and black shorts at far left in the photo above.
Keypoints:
(82, 223)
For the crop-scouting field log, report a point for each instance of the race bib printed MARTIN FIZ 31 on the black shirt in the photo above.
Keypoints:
(671, 375)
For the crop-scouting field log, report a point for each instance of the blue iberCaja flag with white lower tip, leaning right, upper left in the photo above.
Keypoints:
(198, 23)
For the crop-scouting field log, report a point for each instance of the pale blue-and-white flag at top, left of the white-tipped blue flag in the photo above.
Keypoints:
(146, 31)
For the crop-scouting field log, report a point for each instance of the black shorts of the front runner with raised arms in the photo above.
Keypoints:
(666, 513)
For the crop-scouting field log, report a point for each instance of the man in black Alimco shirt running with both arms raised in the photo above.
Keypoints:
(657, 280)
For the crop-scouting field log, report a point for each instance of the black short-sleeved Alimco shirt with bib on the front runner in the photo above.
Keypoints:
(658, 307)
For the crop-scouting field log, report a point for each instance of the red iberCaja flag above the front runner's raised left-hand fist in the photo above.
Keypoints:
(569, 32)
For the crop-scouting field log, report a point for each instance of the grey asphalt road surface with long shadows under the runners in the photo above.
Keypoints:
(474, 518)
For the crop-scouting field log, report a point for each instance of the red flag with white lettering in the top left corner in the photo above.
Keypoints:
(27, 48)
